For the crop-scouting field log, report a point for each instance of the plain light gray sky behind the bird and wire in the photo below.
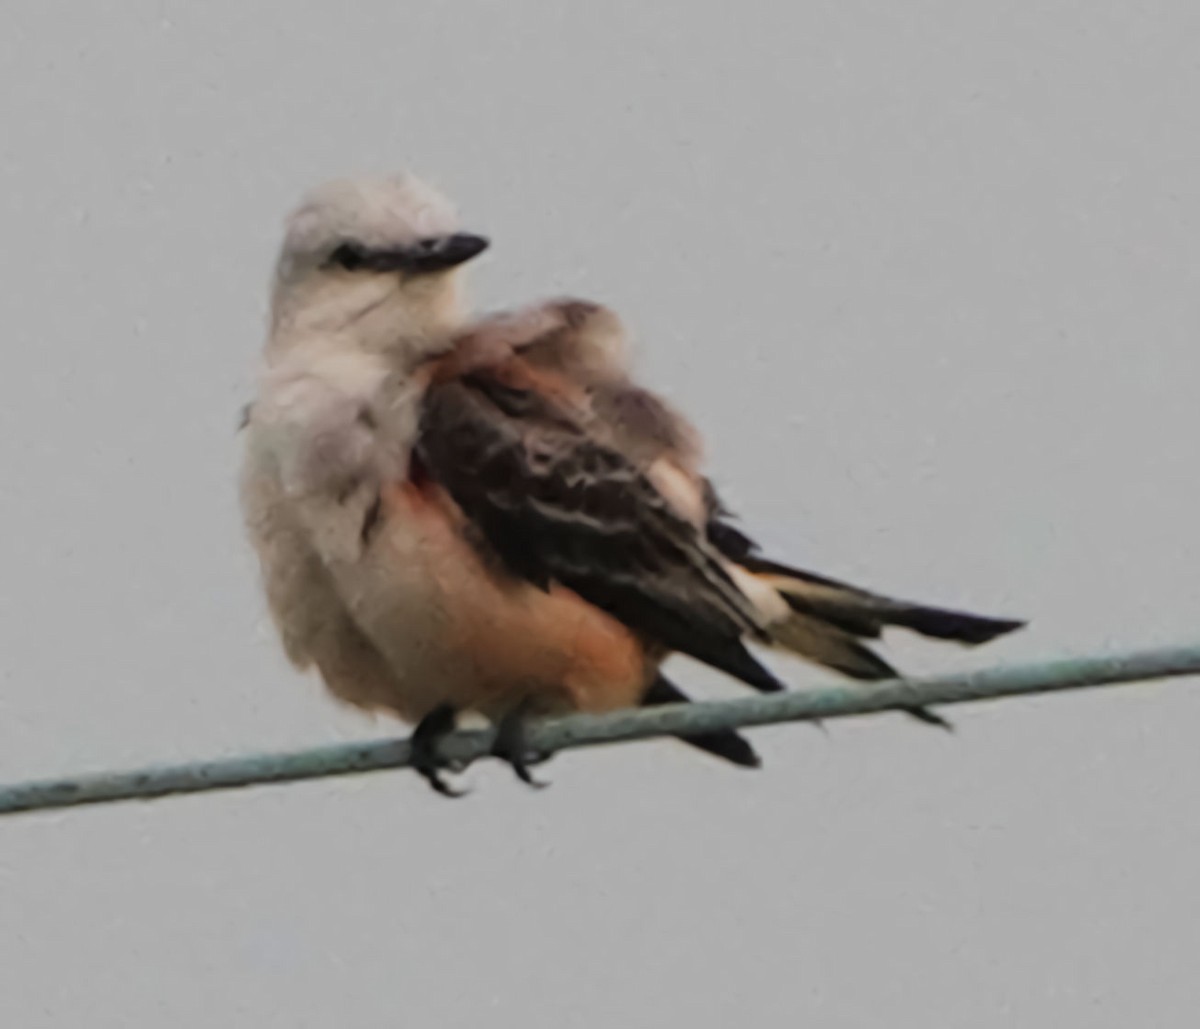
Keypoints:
(927, 273)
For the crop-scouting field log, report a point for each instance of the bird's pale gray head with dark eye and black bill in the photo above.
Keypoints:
(374, 254)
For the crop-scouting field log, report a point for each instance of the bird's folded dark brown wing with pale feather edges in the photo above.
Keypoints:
(557, 503)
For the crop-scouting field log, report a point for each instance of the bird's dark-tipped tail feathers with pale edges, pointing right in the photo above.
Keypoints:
(829, 622)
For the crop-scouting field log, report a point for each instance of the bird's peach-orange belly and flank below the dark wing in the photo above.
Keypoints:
(457, 631)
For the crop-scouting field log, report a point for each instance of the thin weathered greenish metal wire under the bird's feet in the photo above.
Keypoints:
(585, 731)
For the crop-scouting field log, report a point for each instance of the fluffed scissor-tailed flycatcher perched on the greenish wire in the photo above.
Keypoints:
(494, 517)
